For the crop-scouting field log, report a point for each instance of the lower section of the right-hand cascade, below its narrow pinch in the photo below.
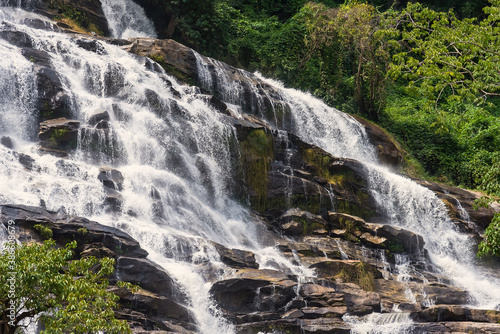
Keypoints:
(416, 208)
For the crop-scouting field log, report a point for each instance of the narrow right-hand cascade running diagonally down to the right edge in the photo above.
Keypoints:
(405, 203)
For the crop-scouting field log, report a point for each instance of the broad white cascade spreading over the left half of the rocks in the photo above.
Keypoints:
(172, 149)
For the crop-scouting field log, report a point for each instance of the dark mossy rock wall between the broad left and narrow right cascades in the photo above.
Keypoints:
(282, 172)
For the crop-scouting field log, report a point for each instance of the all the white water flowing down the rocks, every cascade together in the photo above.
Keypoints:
(175, 154)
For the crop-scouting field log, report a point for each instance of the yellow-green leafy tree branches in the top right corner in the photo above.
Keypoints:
(446, 59)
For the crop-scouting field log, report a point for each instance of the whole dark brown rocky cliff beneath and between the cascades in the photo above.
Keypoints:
(342, 256)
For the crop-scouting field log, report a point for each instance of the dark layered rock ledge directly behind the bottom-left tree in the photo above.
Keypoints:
(159, 302)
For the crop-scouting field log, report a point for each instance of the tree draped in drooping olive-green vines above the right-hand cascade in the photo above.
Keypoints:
(346, 36)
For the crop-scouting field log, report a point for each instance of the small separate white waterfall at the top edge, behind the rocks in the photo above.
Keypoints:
(127, 19)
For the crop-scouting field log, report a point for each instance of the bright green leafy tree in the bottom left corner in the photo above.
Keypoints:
(69, 296)
